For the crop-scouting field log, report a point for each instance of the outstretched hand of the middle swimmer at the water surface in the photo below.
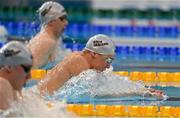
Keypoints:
(155, 93)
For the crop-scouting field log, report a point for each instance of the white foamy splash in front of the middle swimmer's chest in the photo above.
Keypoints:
(100, 84)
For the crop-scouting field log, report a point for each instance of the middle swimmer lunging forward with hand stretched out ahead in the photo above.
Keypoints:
(98, 54)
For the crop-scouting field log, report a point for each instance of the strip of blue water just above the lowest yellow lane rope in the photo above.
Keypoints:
(173, 100)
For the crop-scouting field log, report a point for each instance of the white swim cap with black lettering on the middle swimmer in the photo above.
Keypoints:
(101, 44)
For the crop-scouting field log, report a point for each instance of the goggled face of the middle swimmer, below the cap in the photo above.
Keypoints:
(101, 62)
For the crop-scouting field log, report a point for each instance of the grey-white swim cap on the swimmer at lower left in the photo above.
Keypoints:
(15, 53)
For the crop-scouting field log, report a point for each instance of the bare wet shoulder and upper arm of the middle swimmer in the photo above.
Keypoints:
(62, 73)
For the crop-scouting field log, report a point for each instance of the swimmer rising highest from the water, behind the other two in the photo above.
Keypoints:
(44, 45)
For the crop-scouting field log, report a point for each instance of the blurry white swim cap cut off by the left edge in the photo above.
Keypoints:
(3, 34)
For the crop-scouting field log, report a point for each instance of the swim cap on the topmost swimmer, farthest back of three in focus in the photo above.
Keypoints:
(49, 11)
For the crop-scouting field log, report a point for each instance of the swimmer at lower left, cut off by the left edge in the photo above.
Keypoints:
(15, 65)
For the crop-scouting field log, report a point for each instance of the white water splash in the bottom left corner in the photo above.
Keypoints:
(32, 105)
